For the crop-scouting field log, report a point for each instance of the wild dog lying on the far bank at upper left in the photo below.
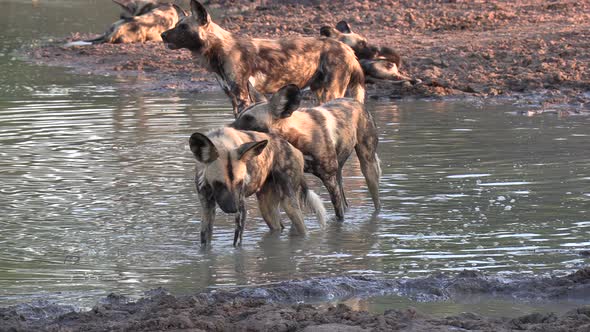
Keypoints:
(140, 21)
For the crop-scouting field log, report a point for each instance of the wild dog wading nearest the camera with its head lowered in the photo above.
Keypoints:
(237, 164)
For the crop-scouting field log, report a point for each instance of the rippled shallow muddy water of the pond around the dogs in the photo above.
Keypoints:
(97, 190)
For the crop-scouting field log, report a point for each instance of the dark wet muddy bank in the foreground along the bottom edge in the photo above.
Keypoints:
(279, 307)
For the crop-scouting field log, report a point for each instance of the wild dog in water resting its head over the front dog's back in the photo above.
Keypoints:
(327, 133)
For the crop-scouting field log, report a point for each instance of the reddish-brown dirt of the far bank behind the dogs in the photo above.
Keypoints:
(457, 48)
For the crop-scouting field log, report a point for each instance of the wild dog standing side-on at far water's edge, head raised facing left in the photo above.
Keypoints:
(326, 66)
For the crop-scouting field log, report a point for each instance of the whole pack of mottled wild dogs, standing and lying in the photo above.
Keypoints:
(274, 139)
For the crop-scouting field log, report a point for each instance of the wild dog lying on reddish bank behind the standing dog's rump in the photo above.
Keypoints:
(377, 62)
